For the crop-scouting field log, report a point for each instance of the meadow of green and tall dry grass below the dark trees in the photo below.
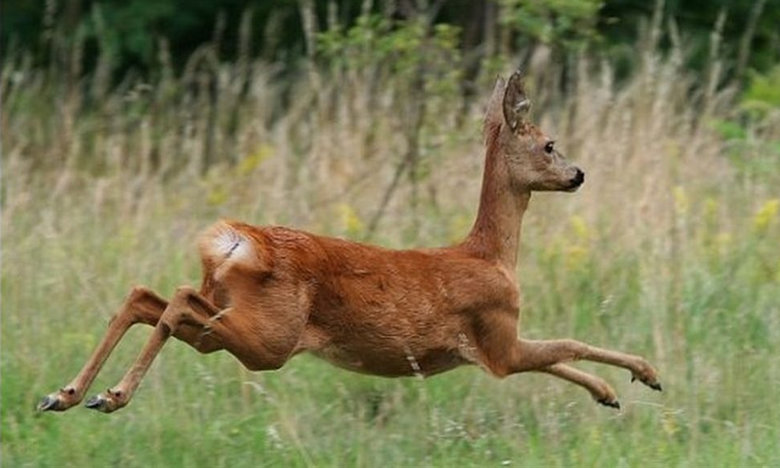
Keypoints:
(669, 250)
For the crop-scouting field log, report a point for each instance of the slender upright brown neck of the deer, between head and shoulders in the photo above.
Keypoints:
(496, 231)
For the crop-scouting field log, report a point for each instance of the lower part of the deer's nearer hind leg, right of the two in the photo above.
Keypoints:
(187, 308)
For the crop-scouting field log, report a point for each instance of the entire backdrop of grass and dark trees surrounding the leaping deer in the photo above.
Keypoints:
(129, 126)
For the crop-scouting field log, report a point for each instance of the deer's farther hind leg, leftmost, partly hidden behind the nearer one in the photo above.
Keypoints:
(141, 306)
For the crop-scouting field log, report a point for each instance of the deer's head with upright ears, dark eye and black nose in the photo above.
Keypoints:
(530, 156)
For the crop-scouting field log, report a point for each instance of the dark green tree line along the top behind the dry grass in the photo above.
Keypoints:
(134, 31)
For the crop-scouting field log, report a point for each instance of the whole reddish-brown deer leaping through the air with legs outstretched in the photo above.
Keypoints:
(269, 293)
